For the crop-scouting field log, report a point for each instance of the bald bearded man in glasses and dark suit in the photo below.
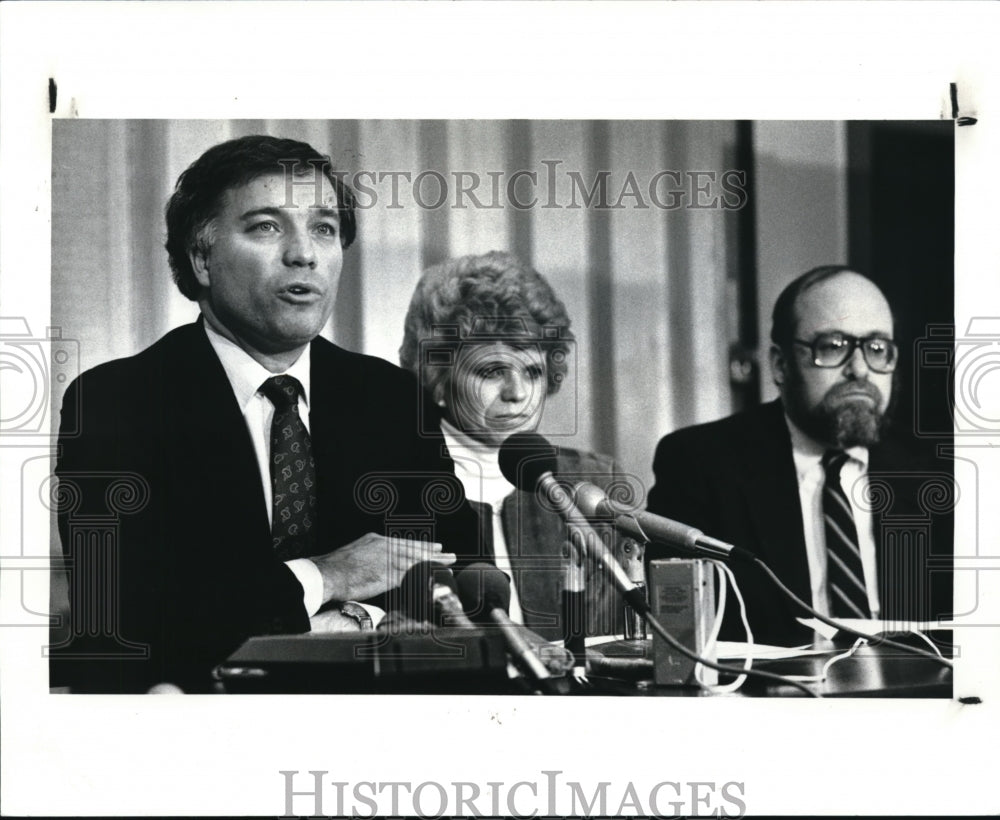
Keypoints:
(851, 520)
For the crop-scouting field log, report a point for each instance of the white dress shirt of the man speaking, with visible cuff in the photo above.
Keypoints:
(246, 375)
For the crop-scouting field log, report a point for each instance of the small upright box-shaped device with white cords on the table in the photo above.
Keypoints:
(682, 599)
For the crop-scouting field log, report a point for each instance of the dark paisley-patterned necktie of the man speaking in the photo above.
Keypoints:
(293, 471)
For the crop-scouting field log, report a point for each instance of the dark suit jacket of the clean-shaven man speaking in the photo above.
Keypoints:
(162, 513)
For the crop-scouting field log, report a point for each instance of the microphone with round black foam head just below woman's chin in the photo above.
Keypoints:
(528, 462)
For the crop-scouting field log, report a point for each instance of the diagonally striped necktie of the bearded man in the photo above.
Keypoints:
(844, 574)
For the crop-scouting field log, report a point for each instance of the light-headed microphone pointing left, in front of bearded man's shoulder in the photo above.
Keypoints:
(645, 526)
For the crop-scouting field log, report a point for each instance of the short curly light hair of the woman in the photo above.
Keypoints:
(490, 298)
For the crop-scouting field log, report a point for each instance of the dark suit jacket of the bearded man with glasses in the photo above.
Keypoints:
(735, 480)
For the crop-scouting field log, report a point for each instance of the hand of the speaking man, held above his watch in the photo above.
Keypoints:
(372, 565)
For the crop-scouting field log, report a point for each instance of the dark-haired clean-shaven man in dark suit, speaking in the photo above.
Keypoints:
(206, 500)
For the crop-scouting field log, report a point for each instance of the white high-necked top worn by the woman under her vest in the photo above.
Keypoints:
(477, 467)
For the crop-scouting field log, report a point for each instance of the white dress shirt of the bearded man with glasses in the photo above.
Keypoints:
(808, 454)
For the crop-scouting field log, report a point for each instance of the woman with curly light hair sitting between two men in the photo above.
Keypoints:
(488, 338)
